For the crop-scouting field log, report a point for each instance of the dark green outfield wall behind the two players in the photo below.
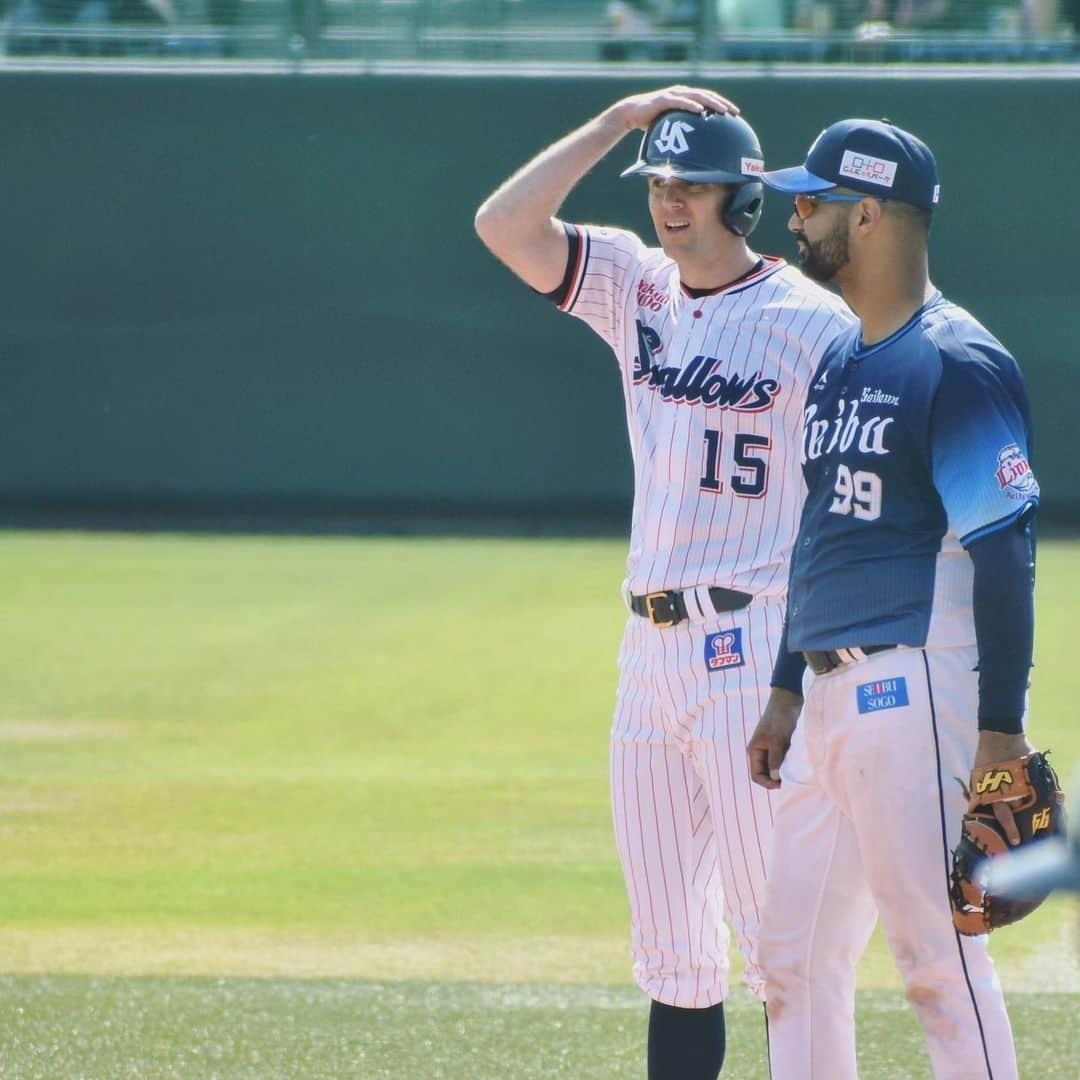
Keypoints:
(265, 291)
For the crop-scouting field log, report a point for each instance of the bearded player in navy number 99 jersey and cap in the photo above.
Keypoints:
(910, 626)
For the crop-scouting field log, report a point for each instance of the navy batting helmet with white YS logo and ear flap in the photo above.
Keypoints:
(708, 148)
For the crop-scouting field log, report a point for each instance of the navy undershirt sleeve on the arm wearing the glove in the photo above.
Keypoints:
(1005, 624)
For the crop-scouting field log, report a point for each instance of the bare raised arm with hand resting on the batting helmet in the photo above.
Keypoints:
(518, 223)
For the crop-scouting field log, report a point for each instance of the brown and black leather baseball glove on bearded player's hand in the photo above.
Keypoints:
(1010, 804)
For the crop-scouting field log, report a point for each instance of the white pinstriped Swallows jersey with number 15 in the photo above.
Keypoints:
(714, 390)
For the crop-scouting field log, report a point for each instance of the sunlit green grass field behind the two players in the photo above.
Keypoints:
(339, 808)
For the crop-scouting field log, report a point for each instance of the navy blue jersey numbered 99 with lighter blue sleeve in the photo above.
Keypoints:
(913, 449)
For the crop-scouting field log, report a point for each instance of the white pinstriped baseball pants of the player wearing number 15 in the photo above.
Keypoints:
(691, 827)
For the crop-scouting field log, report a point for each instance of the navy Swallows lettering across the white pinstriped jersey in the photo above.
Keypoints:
(697, 382)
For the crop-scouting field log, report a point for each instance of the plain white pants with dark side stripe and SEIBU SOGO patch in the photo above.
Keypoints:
(869, 815)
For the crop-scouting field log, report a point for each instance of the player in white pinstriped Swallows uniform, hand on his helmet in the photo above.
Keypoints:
(715, 346)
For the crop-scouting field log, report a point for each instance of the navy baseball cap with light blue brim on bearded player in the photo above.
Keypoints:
(874, 157)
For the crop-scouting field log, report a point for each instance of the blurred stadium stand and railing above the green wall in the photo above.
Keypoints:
(605, 32)
